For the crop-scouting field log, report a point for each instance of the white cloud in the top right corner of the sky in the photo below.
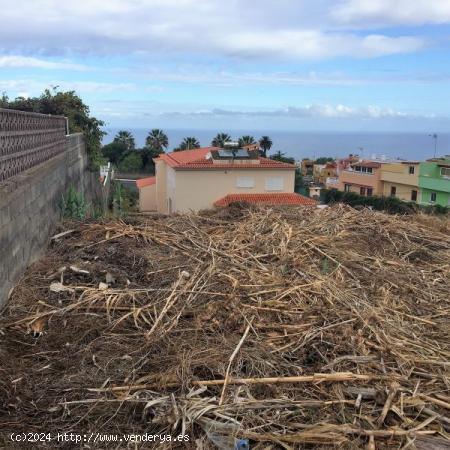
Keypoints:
(388, 12)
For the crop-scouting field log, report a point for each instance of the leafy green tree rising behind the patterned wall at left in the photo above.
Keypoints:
(70, 105)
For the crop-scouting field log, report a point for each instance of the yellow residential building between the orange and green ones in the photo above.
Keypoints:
(401, 180)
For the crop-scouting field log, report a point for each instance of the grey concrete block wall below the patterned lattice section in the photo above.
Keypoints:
(30, 208)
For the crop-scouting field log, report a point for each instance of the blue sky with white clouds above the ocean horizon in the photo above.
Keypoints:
(321, 65)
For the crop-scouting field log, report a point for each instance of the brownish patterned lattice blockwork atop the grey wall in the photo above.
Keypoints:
(28, 139)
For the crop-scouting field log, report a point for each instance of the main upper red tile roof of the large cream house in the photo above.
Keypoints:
(196, 159)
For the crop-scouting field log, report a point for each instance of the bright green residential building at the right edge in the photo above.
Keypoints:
(434, 181)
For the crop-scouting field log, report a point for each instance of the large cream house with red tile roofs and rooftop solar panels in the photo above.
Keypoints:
(206, 177)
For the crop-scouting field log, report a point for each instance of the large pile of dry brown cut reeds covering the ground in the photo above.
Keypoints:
(291, 328)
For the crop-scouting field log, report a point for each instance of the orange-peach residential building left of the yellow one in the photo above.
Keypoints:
(362, 177)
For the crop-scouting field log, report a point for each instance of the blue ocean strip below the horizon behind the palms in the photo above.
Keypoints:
(415, 146)
